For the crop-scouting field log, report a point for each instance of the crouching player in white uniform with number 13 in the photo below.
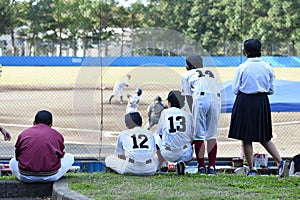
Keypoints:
(175, 133)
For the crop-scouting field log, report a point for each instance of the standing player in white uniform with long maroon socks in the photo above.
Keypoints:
(202, 92)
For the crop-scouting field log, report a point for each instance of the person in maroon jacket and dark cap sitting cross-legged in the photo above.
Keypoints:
(39, 152)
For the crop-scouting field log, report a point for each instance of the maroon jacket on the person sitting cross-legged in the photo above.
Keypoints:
(39, 149)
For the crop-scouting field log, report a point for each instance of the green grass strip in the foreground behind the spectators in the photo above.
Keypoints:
(191, 186)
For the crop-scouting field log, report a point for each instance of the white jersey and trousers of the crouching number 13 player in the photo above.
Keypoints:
(176, 128)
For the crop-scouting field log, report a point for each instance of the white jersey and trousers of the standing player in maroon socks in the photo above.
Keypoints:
(203, 86)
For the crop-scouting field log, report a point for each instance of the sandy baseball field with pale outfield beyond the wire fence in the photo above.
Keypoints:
(78, 99)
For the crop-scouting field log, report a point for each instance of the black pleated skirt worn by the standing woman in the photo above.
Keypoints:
(251, 118)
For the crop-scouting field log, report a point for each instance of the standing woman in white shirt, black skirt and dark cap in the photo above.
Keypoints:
(251, 112)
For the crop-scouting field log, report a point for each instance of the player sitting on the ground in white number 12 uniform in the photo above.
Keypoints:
(135, 152)
